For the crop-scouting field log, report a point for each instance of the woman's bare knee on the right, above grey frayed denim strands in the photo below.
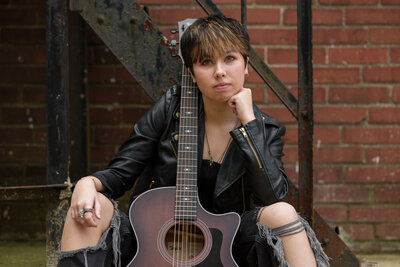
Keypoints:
(278, 214)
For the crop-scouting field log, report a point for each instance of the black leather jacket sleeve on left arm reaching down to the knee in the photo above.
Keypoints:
(137, 151)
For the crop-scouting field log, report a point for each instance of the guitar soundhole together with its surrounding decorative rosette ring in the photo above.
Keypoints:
(185, 243)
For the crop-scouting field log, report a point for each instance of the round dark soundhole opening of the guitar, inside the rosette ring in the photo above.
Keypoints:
(184, 241)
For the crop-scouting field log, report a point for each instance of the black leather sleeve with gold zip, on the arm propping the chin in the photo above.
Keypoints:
(260, 141)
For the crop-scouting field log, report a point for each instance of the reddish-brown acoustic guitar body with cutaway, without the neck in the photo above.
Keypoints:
(163, 241)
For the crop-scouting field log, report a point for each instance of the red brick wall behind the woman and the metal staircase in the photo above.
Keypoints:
(356, 95)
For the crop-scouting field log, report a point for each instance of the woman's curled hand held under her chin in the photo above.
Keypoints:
(242, 105)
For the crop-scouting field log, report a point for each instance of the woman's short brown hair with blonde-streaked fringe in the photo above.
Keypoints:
(212, 34)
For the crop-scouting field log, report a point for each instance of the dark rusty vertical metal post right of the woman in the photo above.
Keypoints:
(305, 112)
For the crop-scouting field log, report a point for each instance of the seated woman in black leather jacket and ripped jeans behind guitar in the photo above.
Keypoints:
(240, 168)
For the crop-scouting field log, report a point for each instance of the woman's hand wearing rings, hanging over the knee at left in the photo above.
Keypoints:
(85, 198)
